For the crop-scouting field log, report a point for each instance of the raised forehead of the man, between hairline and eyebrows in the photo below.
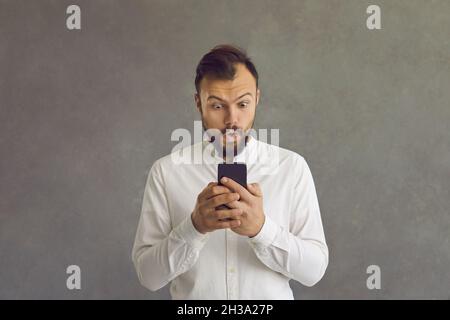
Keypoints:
(243, 81)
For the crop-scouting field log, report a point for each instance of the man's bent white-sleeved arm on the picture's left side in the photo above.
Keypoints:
(161, 253)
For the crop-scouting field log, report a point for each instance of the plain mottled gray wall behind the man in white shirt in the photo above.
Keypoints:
(85, 113)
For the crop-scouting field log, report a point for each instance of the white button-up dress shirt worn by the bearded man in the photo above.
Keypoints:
(222, 264)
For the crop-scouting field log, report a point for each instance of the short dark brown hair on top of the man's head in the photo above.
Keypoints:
(219, 63)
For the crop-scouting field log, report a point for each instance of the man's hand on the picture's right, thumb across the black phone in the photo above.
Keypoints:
(251, 204)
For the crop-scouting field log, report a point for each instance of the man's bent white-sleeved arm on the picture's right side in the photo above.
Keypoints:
(300, 253)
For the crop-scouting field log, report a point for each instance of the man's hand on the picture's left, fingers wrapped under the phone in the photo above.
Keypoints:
(206, 217)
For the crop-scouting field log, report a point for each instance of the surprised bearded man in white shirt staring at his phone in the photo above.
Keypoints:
(225, 241)
